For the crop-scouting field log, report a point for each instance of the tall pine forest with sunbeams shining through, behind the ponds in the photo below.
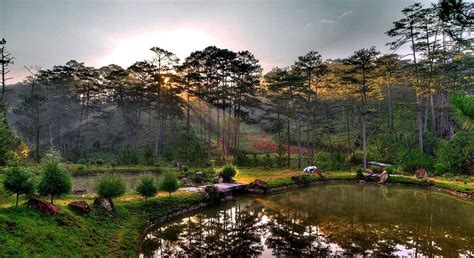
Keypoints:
(216, 104)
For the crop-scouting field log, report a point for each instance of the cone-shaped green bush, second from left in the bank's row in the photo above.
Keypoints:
(55, 179)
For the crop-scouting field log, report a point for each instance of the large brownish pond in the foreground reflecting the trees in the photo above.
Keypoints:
(321, 221)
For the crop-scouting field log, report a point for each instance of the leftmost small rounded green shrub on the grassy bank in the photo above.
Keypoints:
(18, 181)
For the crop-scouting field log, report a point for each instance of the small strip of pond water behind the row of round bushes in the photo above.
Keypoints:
(87, 182)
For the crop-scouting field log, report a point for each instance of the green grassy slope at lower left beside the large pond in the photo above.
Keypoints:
(24, 232)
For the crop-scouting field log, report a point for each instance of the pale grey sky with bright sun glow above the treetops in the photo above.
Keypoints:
(51, 32)
